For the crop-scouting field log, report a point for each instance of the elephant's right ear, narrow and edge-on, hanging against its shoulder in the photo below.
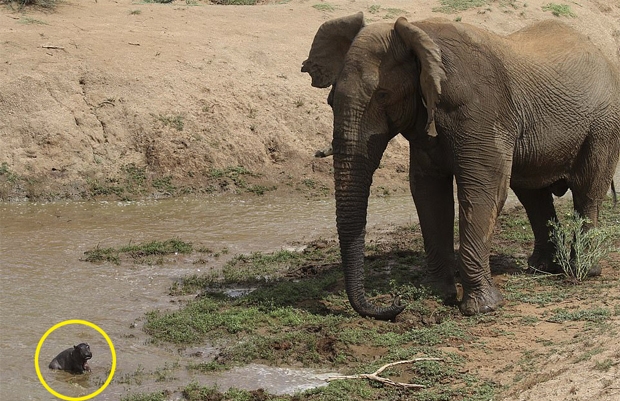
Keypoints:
(431, 67)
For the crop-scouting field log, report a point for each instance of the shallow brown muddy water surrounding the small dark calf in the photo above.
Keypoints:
(43, 282)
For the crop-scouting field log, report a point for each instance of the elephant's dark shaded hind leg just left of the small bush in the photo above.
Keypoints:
(539, 207)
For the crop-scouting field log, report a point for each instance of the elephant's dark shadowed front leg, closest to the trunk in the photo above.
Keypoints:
(434, 200)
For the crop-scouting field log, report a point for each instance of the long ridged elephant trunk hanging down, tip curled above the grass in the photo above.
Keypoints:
(353, 177)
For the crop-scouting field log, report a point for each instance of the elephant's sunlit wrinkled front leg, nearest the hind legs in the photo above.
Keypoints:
(480, 201)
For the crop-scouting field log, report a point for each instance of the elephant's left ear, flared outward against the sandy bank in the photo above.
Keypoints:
(331, 44)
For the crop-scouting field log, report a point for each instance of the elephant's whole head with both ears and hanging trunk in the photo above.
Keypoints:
(386, 80)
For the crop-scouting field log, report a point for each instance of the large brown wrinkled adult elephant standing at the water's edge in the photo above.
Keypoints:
(538, 110)
